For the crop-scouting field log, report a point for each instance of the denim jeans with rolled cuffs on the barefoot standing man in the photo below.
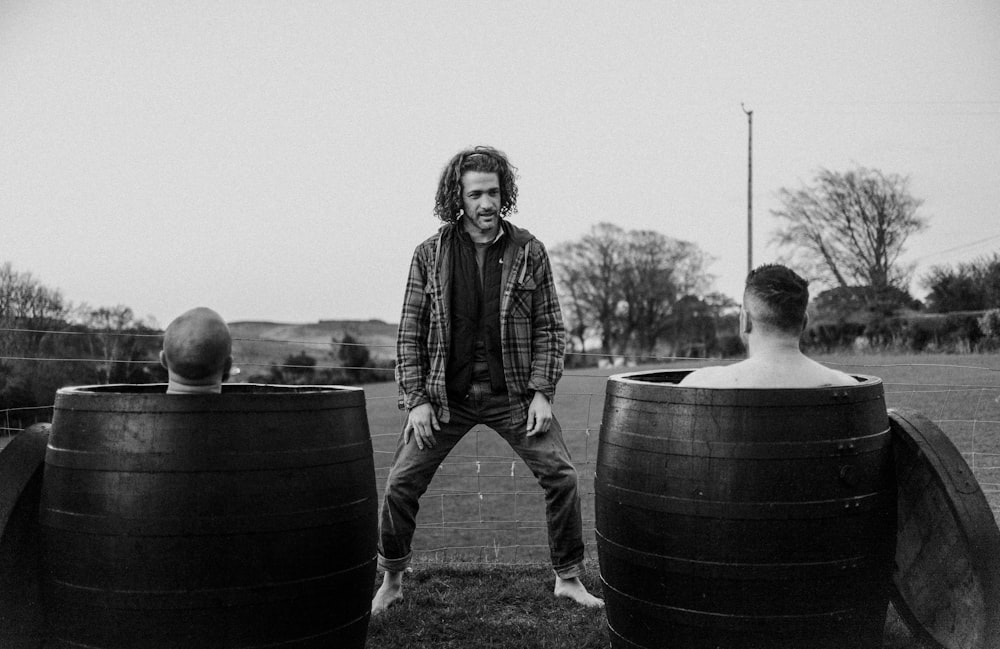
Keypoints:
(544, 453)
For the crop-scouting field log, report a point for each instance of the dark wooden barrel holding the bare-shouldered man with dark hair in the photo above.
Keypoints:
(744, 518)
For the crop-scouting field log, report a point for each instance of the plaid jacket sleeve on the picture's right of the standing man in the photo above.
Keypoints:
(548, 337)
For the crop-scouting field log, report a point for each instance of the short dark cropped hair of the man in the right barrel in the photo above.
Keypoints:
(778, 297)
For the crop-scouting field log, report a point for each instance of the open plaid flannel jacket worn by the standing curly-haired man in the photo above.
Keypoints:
(532, 338)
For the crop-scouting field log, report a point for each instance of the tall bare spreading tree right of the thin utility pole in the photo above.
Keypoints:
(849, 229)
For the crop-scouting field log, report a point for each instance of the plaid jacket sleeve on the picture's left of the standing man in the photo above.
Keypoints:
(412, 357)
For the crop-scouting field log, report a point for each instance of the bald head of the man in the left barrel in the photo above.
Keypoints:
(197, 352)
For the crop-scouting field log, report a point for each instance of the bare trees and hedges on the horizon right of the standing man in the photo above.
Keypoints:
(642, 293)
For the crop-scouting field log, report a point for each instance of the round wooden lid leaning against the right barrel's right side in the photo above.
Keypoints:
(947, 566)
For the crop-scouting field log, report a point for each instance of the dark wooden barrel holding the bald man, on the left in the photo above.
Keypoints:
(245, 519)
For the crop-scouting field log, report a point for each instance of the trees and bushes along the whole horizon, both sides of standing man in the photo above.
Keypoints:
(632, 293)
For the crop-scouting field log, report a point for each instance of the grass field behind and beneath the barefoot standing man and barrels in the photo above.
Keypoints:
(480, 575)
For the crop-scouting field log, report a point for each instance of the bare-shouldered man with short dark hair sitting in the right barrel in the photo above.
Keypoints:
(772, 320)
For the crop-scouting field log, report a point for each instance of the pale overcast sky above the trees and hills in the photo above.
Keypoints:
(278, 160)
